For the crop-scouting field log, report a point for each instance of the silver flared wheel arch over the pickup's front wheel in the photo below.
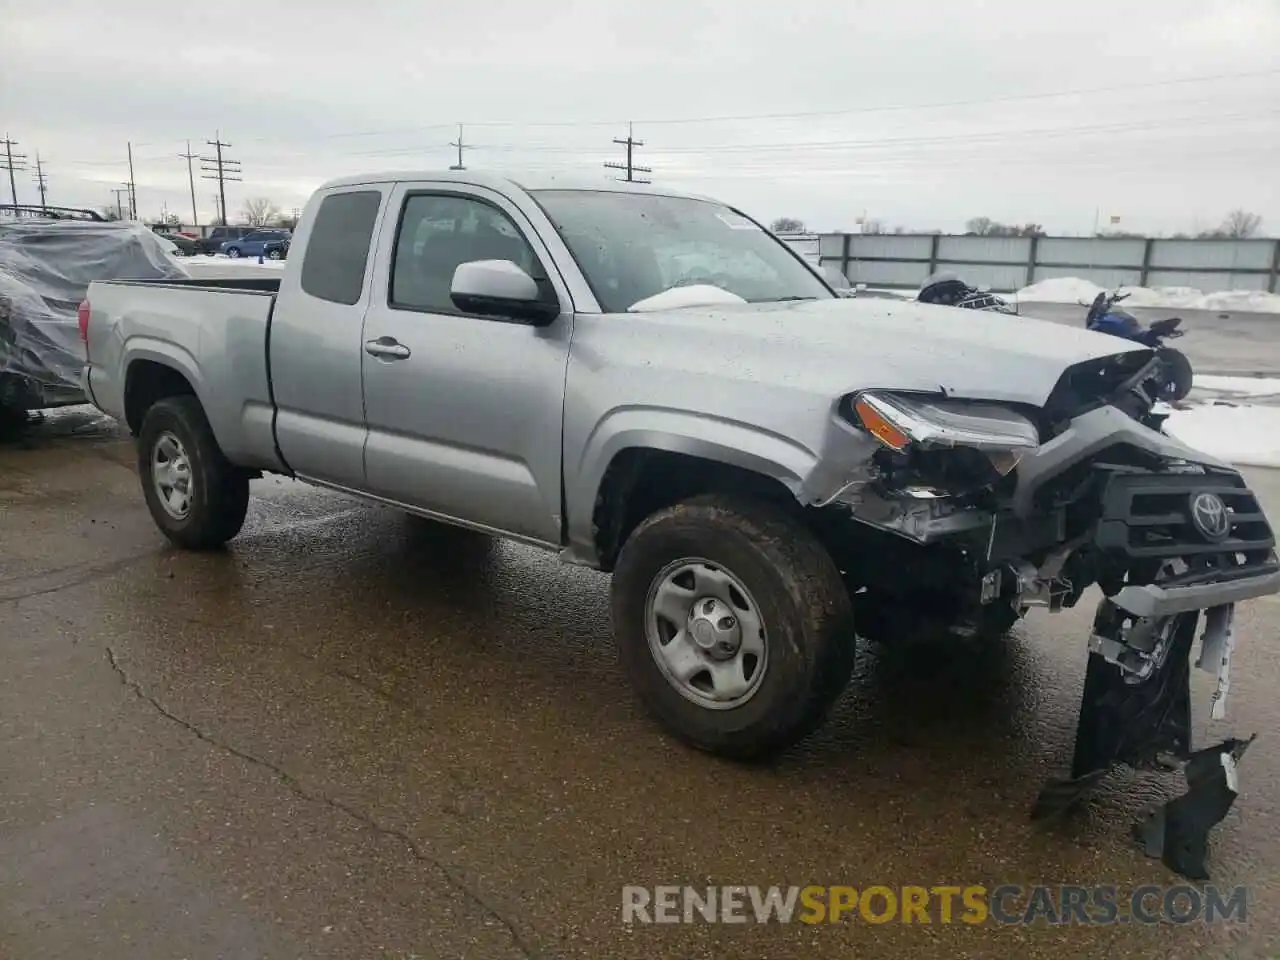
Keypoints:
(719, 440)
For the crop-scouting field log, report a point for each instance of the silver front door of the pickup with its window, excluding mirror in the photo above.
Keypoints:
(464, 412)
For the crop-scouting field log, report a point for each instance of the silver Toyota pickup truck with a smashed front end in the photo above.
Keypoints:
(655, 386)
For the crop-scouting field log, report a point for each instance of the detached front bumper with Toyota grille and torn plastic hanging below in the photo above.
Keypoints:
(1136, 707)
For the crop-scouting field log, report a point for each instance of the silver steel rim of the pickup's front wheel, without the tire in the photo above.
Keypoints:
(689, 639)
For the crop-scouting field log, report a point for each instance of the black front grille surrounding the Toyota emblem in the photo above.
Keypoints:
(1149, 518)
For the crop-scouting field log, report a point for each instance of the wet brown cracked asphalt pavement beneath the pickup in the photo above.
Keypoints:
(358, 735)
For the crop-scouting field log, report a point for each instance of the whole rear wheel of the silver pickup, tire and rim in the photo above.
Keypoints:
(195, 496)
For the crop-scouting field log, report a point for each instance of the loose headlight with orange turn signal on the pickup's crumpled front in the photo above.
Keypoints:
(906, 424)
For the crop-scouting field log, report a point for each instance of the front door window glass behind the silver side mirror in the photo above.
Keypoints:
(438, 234)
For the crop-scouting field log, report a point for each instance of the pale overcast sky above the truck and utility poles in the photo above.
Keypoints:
(918, 113)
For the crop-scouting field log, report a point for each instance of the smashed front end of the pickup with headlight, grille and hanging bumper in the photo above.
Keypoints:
(982, 508)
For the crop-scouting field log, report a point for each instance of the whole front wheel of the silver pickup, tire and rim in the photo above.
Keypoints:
(734, 625)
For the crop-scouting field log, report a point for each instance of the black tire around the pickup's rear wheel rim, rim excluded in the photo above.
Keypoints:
(220, 492)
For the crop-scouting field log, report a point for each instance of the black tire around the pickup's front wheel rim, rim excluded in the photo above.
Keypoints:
(802, 601)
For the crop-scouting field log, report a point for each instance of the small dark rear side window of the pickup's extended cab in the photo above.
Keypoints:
(333, 264)
